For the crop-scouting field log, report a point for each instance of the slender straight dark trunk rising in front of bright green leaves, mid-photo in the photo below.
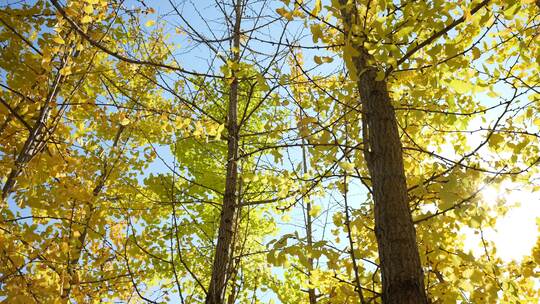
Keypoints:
(218, 281)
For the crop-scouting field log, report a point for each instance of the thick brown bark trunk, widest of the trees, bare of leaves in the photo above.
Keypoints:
(402, 276)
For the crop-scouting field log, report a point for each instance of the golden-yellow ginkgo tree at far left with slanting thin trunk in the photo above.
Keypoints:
(65, 154)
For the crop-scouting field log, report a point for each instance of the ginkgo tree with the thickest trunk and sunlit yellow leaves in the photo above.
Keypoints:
(414, 66)
